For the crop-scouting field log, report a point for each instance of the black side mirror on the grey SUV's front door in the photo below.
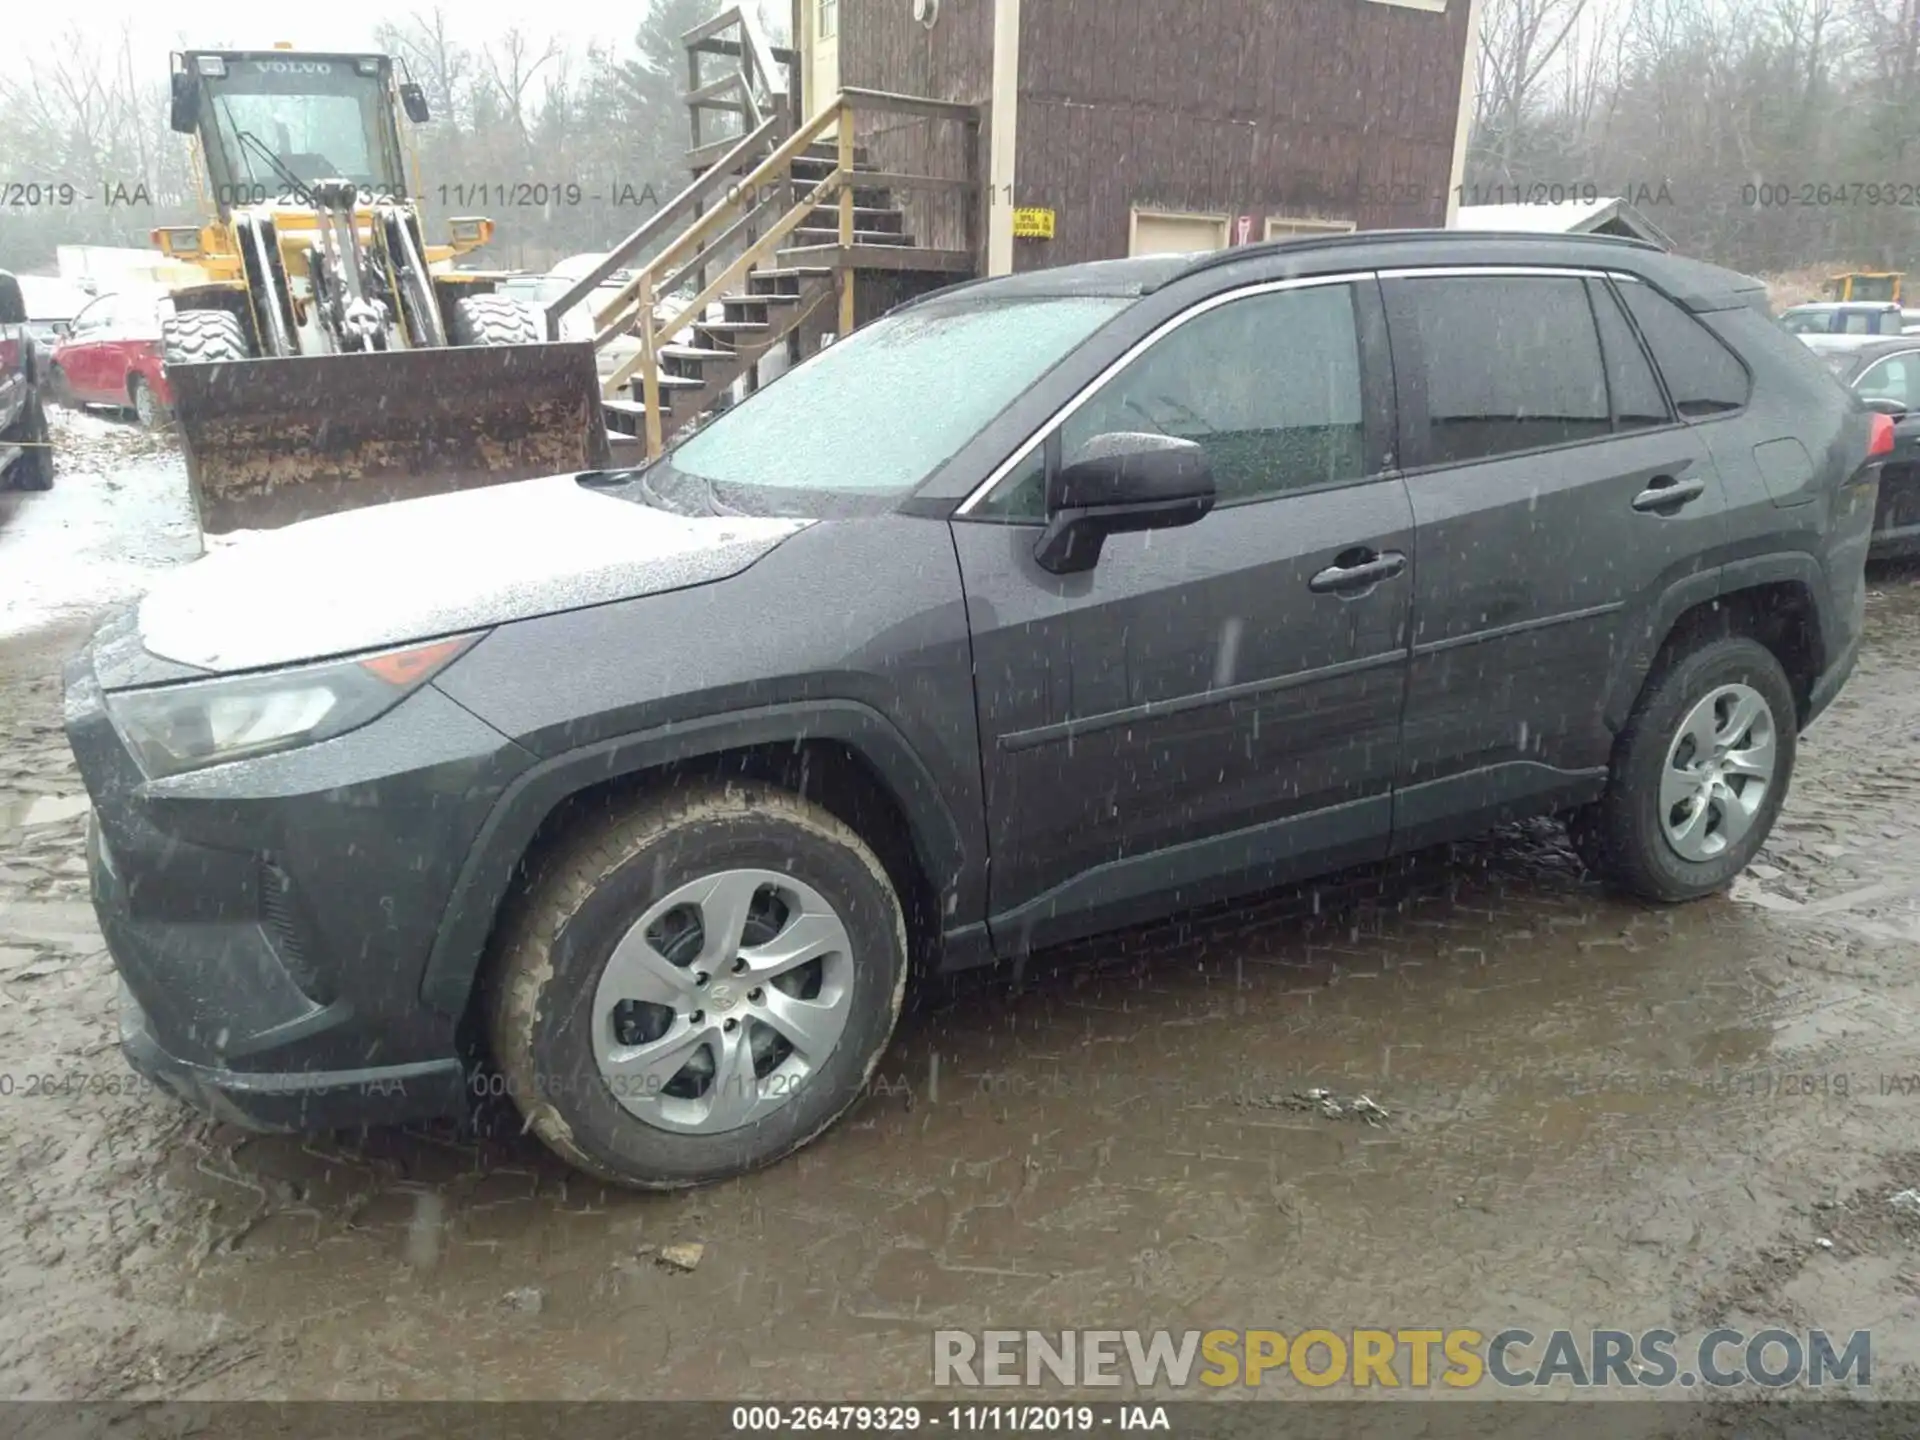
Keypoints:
(1115, 485)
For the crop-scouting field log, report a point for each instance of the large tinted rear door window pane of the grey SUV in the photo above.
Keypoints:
(1512, 364)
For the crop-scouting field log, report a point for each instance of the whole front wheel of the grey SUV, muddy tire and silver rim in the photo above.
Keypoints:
(696, 988)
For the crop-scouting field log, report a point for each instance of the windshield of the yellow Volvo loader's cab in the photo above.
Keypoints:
(279, 120)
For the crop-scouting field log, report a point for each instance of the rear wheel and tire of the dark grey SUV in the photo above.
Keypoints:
(1700, 775)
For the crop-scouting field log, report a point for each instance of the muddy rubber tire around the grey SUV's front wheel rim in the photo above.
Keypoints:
(562, 880)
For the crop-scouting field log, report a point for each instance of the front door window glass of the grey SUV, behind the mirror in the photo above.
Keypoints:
(1270, 387)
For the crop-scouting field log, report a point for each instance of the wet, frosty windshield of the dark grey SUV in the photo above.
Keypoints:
(884, 408)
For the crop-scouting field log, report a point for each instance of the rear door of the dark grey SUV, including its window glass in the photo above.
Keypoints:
(1554, 494)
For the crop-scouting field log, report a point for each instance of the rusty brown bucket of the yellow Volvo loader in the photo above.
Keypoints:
(279, 441)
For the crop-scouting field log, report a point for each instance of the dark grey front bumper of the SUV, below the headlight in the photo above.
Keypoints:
(272, 919)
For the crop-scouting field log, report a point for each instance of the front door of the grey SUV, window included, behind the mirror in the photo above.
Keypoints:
(1216, 708)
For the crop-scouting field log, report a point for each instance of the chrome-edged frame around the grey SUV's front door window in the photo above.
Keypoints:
(1370, 379)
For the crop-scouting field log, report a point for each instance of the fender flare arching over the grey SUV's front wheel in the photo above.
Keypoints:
(460, 946)
